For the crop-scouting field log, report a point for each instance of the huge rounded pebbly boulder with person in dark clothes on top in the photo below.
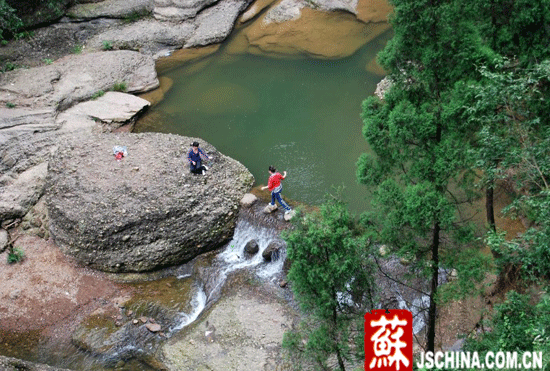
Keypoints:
(145, 211)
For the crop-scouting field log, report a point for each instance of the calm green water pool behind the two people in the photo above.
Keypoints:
(301, 115)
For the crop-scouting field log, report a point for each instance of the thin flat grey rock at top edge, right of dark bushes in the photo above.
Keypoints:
(111, 9)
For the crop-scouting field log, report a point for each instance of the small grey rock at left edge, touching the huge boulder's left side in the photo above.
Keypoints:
(17, 198)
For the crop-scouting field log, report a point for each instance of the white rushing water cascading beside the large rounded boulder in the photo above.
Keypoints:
(230, 259)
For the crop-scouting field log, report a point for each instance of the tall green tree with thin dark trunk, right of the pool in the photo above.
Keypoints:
(419, 169)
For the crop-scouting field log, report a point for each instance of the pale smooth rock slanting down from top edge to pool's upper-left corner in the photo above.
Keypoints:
(216, 23)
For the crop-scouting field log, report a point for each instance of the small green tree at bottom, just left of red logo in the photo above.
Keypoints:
(332, 281)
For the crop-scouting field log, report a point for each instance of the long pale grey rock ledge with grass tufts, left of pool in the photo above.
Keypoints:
(77, 78)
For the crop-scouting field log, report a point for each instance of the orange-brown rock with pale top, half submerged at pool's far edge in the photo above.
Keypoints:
(303, 27)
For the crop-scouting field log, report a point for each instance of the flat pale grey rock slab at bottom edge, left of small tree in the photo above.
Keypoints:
(232, 336)
